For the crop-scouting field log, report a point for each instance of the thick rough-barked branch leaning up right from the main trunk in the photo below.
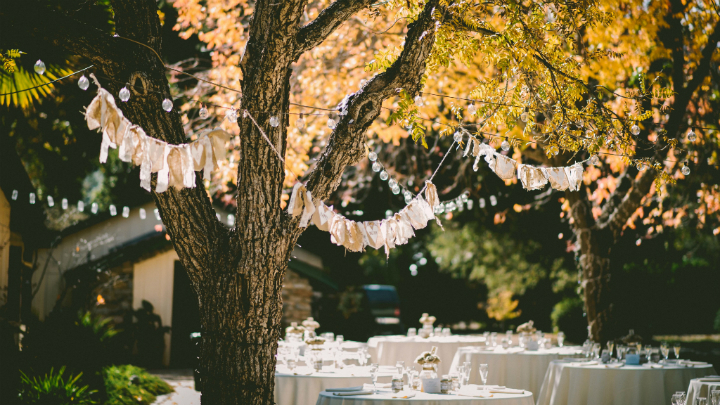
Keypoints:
(346, 143)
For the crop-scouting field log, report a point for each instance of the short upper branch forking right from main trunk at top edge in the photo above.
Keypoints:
(314, 33)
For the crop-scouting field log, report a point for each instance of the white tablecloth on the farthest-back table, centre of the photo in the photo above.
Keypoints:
(386, 350)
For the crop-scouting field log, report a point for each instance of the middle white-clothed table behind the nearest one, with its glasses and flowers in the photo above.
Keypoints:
(521, 366)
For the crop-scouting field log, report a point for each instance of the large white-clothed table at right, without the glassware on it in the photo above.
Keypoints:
(573, 383)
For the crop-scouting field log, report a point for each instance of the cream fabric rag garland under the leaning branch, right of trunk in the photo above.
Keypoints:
(355, 236)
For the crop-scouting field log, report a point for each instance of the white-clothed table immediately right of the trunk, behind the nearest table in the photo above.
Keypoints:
(303, 386)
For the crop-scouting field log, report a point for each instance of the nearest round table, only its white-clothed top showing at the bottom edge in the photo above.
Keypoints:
(383, 397)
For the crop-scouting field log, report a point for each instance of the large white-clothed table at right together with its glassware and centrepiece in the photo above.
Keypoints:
(637, 375)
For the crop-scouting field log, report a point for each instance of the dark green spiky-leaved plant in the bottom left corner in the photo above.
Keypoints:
(53, 389)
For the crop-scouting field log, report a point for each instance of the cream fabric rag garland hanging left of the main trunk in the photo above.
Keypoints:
(175, 164)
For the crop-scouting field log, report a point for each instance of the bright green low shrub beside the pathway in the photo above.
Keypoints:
(129, 384)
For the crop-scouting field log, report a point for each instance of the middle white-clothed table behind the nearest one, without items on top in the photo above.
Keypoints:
(514, 367)
